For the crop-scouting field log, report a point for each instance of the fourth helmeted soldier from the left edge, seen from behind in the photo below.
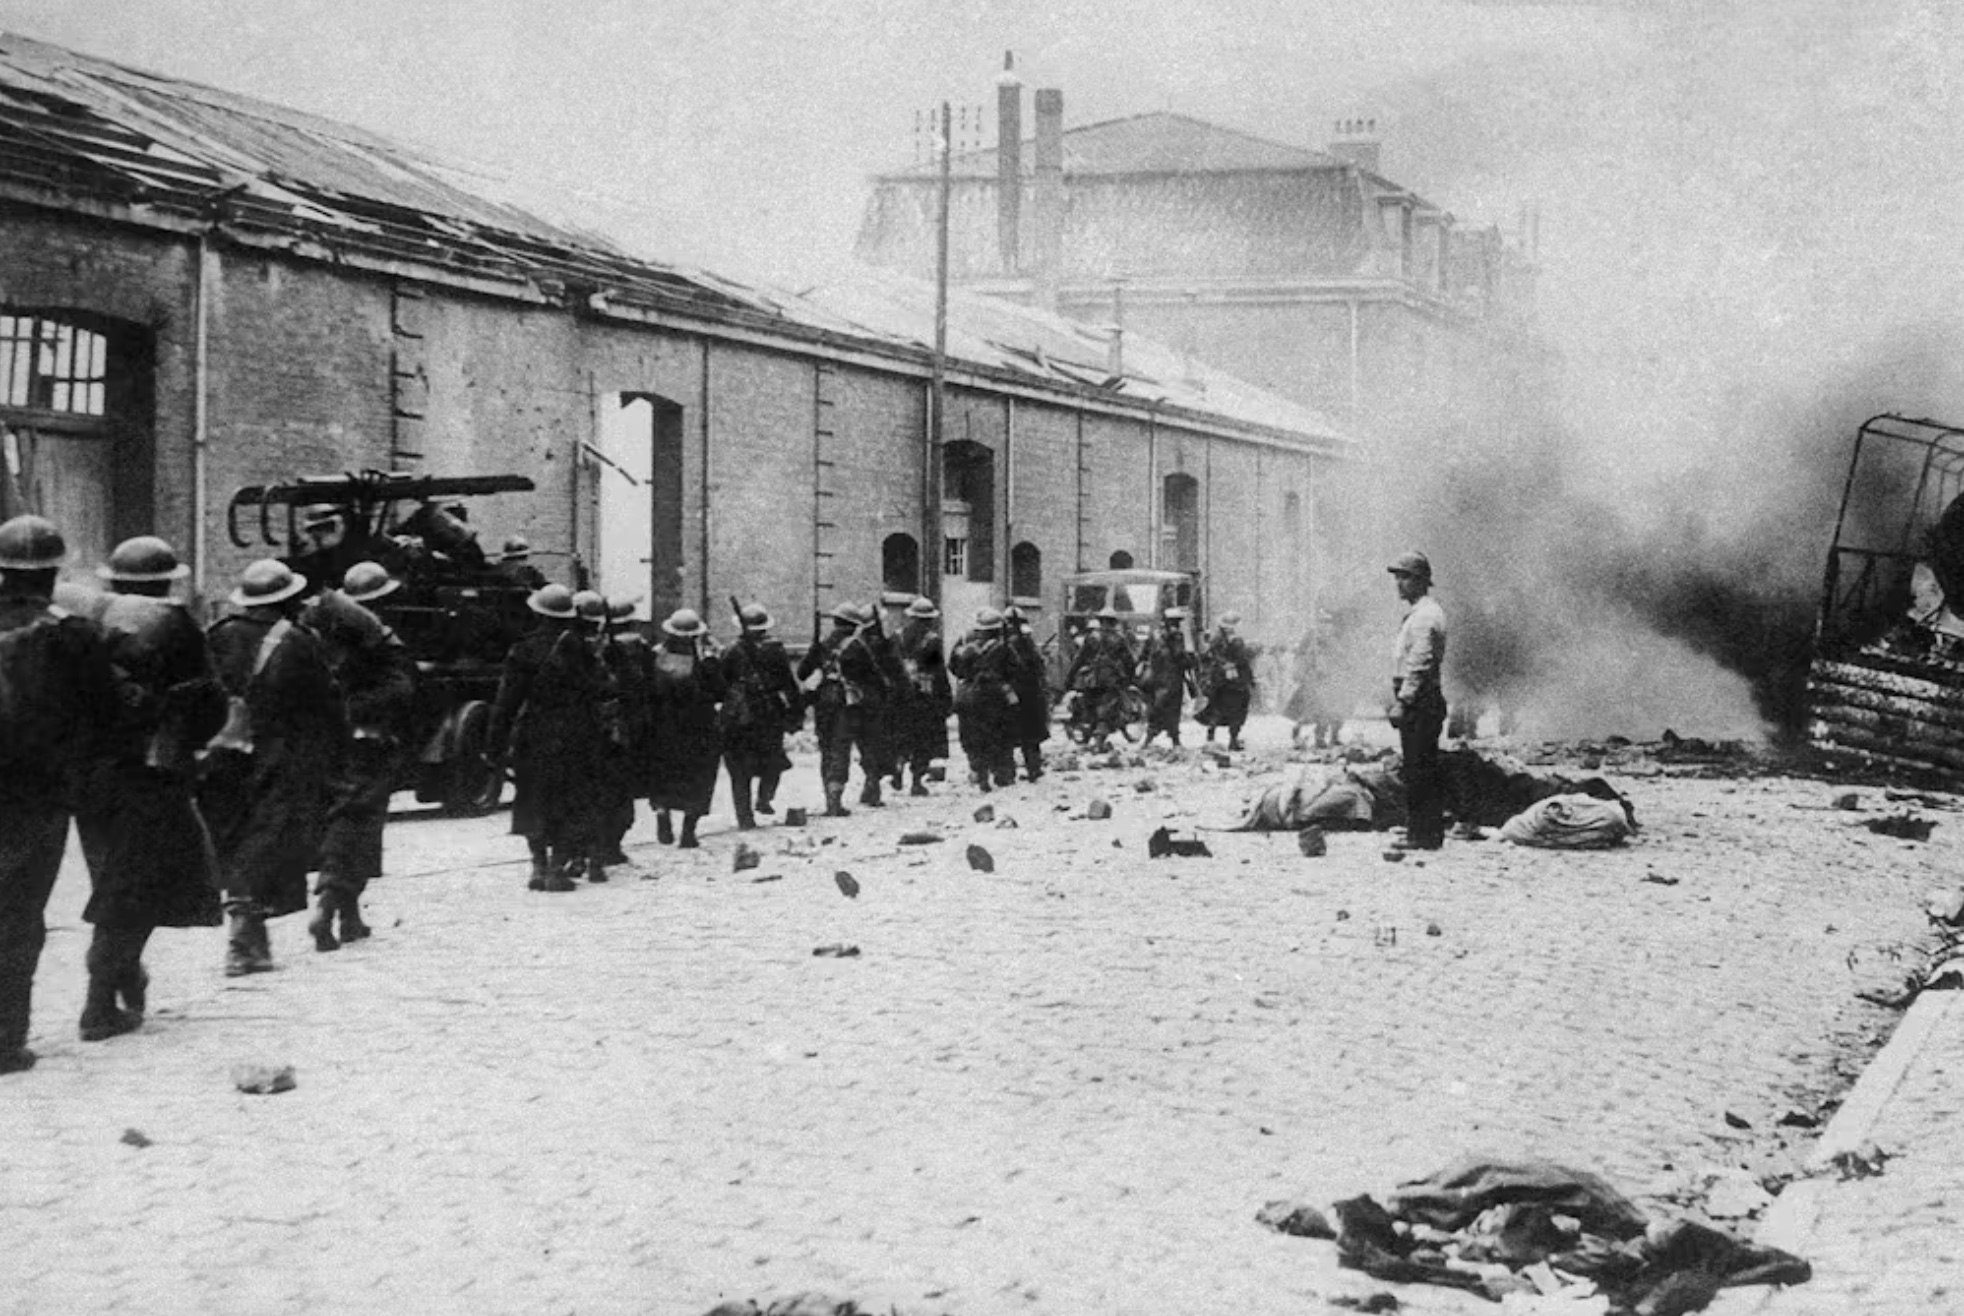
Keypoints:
(378, 683)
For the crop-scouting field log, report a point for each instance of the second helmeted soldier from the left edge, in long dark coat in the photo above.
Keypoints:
(150, 857)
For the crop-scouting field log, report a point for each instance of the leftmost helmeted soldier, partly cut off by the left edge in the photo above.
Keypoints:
(56, 688)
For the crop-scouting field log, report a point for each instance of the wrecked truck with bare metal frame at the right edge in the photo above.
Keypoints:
(1886, 683)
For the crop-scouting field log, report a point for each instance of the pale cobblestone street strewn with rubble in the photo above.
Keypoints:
(1060, 1087)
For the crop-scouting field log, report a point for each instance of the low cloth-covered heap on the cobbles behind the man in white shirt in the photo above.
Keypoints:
(1480, 793)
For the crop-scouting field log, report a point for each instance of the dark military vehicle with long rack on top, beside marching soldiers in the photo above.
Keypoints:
(459, 612)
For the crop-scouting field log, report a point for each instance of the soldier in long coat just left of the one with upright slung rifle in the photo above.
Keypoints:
(684, 692)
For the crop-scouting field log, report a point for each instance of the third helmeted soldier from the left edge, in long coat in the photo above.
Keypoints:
(270, 773)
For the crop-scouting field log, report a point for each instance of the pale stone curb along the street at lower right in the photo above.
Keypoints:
(1796, 1215)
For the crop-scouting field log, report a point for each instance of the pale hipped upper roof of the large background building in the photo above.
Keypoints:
(1158, 142)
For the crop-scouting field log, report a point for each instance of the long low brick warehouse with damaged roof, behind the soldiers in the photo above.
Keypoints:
(203, 292)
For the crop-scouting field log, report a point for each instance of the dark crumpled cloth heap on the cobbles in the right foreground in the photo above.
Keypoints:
(1543, 1229)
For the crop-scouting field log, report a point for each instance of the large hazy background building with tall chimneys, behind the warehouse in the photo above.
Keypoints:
(1305, 272)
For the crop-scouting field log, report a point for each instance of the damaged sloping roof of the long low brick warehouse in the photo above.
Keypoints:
(99, 137)
